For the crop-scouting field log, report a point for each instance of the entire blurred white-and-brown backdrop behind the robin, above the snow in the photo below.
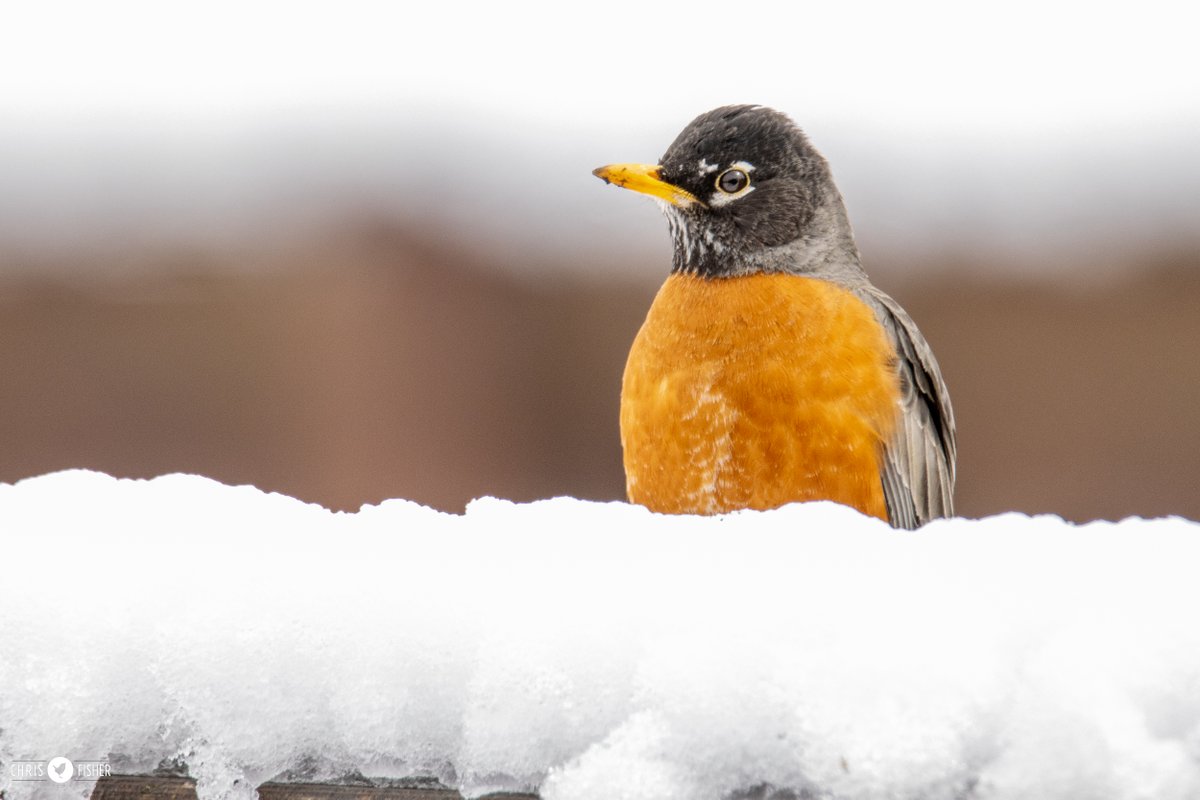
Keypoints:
(355, 251)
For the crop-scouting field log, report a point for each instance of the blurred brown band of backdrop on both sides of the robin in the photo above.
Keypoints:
(382, 362)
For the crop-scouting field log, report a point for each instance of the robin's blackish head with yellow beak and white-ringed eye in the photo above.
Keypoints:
(745, 193)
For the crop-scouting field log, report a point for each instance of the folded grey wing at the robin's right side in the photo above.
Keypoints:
(919, 464)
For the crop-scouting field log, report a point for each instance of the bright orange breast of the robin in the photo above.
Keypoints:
(757, 392)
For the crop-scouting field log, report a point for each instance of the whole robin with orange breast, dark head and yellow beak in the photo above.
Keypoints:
(769, 369)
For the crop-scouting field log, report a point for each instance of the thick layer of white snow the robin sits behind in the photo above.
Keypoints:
(595, 651)
